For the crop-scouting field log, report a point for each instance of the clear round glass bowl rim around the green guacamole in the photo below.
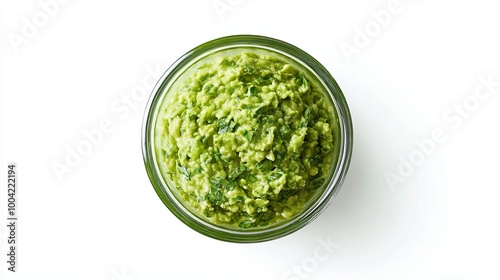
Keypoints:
(323, 196)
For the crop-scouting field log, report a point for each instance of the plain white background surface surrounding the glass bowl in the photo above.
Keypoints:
(103, 219)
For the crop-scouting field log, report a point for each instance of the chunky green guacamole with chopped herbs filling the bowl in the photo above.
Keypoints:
(246, 139)
